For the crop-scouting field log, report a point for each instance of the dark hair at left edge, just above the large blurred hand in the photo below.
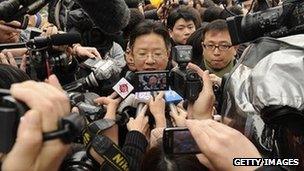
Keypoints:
(10, 74)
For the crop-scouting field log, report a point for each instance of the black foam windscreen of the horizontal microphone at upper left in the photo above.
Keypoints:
(65, 39)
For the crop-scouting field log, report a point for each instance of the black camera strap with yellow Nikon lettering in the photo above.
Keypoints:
(107, 149)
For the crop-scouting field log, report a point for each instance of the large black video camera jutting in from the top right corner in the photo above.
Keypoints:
(274, 22)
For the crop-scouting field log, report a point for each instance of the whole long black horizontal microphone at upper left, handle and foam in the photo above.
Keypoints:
(55, 39)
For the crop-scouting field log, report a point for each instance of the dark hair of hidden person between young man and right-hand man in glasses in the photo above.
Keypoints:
(195, 40)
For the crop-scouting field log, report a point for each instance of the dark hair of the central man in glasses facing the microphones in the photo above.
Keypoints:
(148, 27)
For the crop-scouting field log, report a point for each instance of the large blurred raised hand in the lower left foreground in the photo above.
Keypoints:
(29, 151)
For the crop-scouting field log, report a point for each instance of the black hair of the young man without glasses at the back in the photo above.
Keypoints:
(185, 12)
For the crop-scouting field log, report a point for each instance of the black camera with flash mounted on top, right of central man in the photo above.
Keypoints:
(185, 82)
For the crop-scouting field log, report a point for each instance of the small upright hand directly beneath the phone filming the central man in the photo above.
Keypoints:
(157, 108)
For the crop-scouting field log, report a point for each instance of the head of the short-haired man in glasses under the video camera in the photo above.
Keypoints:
(218, 52)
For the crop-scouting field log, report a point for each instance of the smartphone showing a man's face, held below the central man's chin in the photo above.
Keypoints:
(152, 81)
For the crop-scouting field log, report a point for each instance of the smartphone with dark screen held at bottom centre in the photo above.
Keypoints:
(178, 140)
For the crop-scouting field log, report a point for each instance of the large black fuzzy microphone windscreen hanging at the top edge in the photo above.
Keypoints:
(110, 15)
